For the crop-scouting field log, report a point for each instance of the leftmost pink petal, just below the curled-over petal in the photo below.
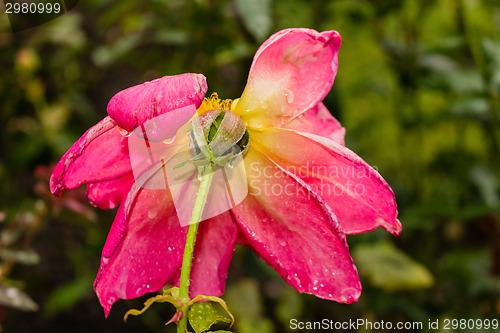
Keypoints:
(100, 154)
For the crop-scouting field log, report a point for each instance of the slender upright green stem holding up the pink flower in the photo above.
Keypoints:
(199, 205)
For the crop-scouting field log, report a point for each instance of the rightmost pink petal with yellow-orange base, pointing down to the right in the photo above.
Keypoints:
(360, 198)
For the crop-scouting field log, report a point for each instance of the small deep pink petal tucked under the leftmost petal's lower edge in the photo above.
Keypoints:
(109, 194)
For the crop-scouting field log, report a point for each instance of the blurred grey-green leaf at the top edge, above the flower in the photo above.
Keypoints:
(256, 16)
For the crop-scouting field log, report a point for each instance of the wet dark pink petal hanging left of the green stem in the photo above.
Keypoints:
(143, 250)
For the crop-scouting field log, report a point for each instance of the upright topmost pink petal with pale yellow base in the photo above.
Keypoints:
(291, 73)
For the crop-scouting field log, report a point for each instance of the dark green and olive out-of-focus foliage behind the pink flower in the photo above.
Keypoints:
(418, 89)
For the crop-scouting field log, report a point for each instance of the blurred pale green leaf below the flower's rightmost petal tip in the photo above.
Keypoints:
(389, 268)
